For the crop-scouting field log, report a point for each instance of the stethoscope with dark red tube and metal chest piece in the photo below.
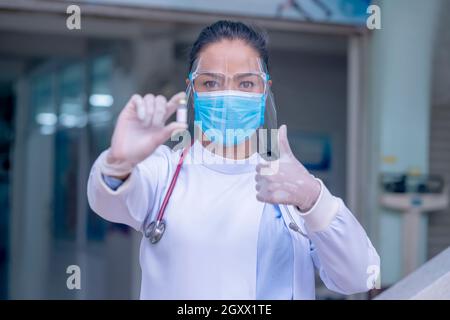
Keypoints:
(155, 230)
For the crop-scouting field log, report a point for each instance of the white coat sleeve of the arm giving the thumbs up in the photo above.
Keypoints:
(340, 248)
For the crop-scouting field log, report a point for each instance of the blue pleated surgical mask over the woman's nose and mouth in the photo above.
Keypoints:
(229, 117)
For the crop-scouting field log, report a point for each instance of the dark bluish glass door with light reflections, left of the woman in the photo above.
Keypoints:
(68, 122)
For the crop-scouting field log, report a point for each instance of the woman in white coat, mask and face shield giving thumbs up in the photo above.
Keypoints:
(238, 228)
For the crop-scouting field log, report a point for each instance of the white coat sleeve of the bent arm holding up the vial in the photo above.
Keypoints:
(135, 198)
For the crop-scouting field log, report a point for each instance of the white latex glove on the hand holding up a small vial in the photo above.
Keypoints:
(140, 129)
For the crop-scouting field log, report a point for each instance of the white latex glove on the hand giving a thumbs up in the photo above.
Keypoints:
(286, 180)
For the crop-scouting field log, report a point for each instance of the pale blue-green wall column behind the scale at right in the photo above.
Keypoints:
(400, 90)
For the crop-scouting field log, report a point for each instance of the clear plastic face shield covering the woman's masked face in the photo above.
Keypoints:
(230, 102)
